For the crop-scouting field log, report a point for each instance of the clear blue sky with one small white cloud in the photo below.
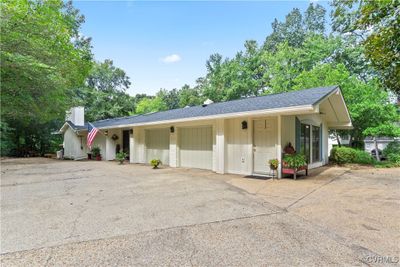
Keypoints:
(166, 44)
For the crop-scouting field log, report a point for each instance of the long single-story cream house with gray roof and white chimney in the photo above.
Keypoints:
(238, 136)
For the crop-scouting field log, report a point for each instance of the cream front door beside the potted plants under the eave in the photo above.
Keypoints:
(264, 144)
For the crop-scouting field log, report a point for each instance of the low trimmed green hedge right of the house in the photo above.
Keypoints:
(342, 155)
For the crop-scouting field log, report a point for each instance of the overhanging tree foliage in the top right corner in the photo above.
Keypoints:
(377, 22)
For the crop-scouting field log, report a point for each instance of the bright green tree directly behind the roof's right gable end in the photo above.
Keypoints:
(367, 103)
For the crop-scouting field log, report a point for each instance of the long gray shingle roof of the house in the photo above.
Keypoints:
(273, 101)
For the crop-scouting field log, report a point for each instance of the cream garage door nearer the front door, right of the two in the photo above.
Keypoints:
(196, 147)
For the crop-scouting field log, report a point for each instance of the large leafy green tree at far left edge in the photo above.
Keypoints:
(43, 57)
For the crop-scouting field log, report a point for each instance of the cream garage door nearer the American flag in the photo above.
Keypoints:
(157, 145)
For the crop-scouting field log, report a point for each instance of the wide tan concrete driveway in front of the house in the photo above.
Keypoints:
(100, 213)
